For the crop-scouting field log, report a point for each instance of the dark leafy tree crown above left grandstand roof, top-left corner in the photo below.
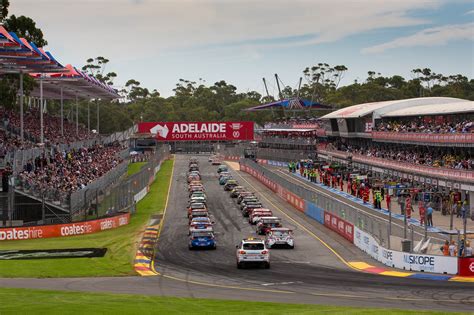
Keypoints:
(25, 27)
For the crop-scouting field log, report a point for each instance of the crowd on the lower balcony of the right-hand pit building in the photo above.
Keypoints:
(410, 155)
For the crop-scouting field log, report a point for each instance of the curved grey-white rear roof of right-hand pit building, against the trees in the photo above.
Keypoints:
(380, 108)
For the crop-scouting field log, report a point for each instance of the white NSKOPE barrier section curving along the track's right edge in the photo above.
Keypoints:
(402, 260)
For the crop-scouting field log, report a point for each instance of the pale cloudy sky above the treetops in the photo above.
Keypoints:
(241, 41)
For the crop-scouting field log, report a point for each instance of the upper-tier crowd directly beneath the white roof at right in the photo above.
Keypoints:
(421, 125)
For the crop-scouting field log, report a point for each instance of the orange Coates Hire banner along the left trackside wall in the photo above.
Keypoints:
(63, 230)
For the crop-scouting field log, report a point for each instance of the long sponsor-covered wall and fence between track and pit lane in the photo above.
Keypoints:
(367, 231)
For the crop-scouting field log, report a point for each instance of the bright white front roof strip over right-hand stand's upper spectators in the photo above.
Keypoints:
(434, 109)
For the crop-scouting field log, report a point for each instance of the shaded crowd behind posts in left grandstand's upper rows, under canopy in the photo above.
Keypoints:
(51, 126)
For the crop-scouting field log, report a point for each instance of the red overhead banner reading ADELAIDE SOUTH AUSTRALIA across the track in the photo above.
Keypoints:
(198, 131)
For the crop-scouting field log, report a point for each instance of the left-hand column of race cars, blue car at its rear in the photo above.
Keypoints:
(201, 232)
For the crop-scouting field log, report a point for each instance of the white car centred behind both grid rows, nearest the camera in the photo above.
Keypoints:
(252, 251)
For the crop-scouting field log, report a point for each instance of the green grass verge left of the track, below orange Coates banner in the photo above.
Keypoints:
(121, 243)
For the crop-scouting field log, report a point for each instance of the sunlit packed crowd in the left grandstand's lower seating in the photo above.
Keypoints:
(65, 172)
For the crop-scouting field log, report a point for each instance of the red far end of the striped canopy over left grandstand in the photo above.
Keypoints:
(74, 83)
